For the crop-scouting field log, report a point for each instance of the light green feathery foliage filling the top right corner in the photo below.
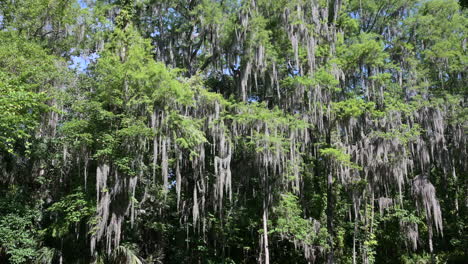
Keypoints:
(441, 28)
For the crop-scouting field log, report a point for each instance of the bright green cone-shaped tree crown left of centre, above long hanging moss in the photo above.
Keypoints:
(131, 87)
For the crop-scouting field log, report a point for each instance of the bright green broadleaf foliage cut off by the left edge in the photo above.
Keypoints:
(26, 74)
